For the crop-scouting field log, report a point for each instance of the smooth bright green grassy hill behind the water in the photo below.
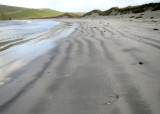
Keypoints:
(10, 12)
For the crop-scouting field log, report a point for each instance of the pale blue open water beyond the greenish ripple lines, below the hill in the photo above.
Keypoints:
(16, 29)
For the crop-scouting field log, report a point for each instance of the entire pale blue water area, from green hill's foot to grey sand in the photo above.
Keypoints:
(23, 41)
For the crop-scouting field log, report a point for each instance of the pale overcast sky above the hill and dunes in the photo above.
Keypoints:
(74, 5)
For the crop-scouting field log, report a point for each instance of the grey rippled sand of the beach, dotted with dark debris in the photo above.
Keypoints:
(95, 70)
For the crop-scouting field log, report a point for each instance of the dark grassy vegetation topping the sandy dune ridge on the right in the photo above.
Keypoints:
(126, 10)
